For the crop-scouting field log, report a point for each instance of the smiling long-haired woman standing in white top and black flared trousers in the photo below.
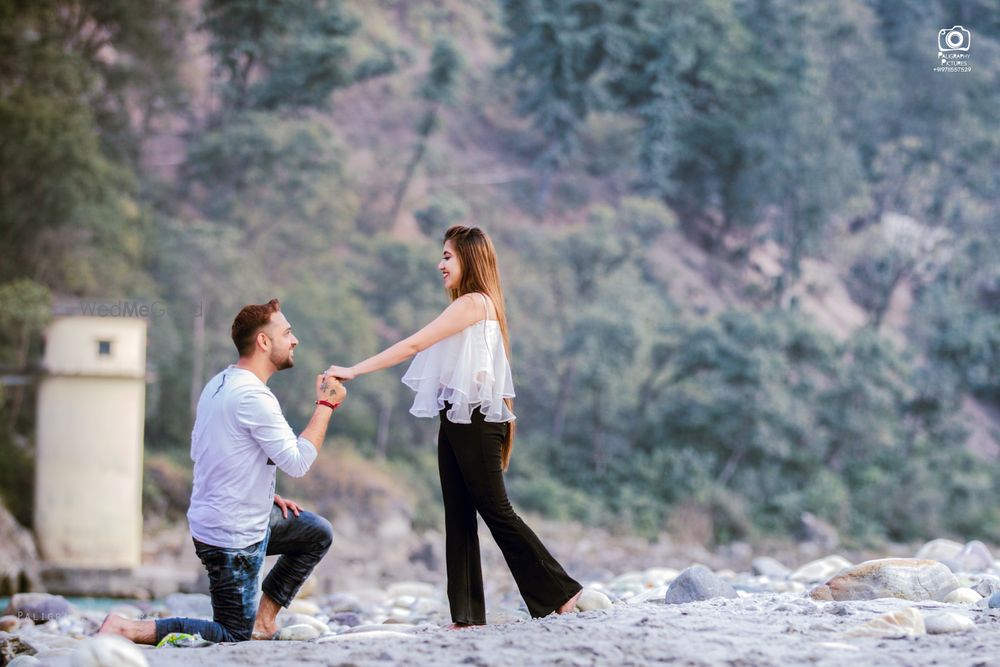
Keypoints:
(461, 375)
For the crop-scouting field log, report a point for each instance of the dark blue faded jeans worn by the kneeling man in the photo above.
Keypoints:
(301, 541)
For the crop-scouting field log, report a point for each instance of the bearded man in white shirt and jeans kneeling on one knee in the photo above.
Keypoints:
(240, 437)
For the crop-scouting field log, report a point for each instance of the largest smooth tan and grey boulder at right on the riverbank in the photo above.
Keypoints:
(904, 578)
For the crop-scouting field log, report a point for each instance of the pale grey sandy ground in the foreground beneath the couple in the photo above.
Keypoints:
(758, 630)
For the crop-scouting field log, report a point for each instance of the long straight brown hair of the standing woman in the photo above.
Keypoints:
(480, 273)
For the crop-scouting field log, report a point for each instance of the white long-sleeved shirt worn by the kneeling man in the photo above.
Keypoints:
(240, 436)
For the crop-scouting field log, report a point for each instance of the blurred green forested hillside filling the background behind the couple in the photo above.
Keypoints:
(819, 127)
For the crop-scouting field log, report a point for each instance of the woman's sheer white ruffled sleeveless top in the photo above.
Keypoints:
(469, 370)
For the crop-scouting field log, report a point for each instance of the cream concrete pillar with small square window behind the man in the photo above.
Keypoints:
(91, 409)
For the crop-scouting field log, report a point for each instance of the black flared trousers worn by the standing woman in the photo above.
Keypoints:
(469, 461)
